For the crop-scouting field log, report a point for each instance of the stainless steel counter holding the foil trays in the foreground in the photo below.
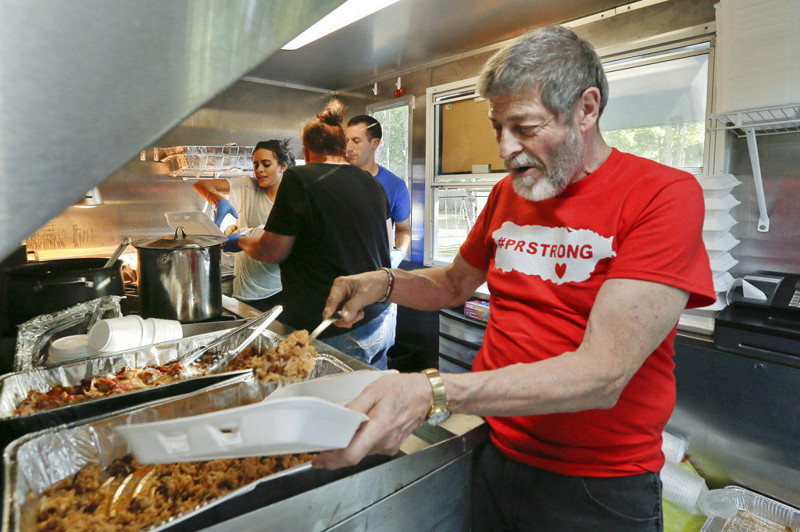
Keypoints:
(427, 486)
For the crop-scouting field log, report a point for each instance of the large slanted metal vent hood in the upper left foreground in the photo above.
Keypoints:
(86, 84)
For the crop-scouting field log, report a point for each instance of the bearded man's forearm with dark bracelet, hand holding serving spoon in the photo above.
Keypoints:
(426, 289)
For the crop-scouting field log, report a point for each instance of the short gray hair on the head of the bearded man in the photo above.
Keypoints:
(553, 60)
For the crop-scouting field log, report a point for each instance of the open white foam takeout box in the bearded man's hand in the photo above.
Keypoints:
(307, 416)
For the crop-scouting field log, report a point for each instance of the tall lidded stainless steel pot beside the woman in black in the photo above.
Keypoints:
(180, 277)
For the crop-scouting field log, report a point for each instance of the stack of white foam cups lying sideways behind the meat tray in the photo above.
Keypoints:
(118, 334)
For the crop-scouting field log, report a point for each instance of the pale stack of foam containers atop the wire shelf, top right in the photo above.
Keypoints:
(757, 54)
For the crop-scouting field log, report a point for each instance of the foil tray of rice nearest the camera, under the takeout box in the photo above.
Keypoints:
(36, 461)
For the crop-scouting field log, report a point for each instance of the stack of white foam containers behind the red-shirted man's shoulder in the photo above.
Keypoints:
(719, 242)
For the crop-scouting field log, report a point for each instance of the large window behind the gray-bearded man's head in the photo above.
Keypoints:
(657, 108)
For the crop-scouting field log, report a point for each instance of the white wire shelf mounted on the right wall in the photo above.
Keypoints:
(763, 121)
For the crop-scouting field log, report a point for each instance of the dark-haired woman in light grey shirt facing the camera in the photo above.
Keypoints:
(250, 200)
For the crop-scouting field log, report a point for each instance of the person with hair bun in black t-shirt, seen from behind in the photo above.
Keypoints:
(329, 219)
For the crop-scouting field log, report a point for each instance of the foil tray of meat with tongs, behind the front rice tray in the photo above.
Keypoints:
(14, 387)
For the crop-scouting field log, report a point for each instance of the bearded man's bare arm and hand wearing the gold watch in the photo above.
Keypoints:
(629, 319)
